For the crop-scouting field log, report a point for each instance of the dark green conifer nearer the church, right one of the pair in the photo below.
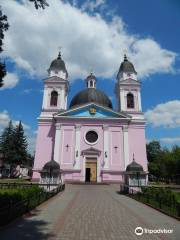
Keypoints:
(21, 145)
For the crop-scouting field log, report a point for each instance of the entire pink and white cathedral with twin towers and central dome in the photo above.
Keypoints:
(90, 140)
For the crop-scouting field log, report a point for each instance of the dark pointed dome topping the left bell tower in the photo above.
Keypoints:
(58, 65)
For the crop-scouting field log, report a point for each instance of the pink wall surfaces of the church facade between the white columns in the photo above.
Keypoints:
(137, 145)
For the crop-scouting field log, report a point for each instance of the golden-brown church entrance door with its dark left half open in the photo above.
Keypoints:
(91, 170)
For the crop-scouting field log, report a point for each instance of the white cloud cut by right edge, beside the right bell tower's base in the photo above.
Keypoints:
(165, 114)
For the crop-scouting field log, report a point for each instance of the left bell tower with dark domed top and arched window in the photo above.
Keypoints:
(56, 87)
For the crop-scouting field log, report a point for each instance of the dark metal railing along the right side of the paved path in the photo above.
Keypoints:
(168, 205)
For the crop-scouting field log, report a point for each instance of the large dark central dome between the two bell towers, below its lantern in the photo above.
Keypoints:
(91, 95)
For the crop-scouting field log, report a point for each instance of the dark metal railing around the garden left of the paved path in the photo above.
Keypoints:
(13, 210)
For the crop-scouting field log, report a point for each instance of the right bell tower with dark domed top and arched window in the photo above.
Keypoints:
(128, 89)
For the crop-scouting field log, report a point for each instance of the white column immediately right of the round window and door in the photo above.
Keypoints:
(106, 147)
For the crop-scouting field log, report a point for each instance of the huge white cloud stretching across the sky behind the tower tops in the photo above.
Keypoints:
(33, 39)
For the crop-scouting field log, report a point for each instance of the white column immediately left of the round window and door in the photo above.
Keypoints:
(77, 146)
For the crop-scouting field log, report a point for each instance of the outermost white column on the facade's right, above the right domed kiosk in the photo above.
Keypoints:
(125, 146)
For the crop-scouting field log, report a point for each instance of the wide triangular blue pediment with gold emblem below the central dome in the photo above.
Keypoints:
(92, 110)
